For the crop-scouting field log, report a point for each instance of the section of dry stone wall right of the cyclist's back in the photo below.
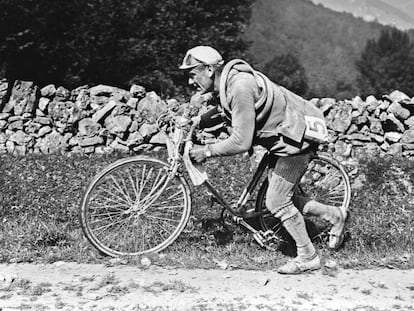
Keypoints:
(372, 127)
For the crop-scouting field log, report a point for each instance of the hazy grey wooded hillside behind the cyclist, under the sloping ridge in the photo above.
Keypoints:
(326, 42)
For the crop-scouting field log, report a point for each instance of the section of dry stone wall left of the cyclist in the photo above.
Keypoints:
(99, 119)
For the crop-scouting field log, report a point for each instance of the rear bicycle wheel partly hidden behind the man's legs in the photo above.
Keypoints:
(322, 174)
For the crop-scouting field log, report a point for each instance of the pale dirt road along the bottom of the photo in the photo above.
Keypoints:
(71, 286)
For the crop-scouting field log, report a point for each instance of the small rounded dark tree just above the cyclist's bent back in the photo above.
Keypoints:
(287, 71)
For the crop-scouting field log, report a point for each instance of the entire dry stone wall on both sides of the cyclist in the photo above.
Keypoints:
(102, 119)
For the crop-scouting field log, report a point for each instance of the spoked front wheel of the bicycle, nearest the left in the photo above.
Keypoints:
(132, 207)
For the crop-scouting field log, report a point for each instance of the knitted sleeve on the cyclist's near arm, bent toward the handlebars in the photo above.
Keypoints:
(243, 116)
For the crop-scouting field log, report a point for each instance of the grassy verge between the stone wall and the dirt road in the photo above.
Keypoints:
(40, 196)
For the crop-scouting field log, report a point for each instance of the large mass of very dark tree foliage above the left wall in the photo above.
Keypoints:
(74, 42)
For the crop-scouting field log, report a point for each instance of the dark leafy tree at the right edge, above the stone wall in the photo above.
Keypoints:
(386, 64)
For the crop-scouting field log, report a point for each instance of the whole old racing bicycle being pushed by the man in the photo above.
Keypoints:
(141, 204)
